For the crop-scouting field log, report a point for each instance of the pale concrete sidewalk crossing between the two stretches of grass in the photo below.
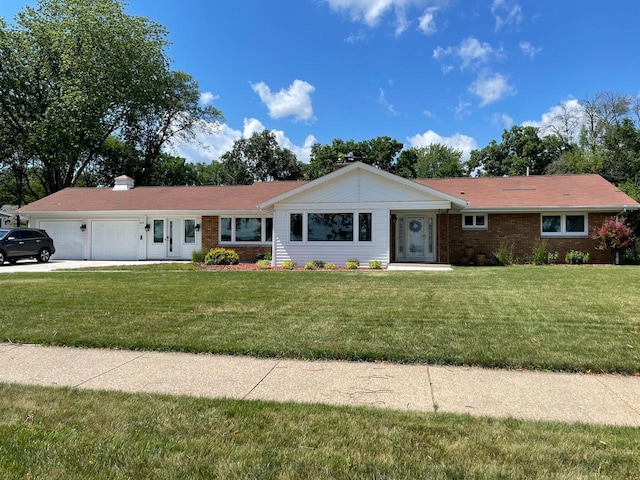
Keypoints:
(598, 399)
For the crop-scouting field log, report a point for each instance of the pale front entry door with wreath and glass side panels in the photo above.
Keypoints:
(415, 240)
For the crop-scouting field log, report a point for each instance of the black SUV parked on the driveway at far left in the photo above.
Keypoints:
(17, 243)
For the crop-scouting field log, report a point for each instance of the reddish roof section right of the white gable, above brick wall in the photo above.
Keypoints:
(536, 192)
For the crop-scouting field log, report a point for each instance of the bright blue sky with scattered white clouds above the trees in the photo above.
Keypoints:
(456, 72)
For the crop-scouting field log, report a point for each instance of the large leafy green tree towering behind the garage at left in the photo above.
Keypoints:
(76, 72)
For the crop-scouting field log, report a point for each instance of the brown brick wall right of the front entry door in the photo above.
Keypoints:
(521, 230)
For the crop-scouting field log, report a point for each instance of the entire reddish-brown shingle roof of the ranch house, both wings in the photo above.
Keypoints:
(569, 192)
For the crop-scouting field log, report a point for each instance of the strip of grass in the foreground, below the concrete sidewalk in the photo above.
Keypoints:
(49, 433)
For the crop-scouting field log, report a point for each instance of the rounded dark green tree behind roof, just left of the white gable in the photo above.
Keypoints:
(260, 158)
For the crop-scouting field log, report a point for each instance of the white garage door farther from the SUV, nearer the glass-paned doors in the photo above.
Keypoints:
(114, 240)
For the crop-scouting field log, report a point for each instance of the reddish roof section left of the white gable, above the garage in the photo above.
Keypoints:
(209, 198)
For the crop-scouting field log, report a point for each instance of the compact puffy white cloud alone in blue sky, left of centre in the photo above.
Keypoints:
(295, 101)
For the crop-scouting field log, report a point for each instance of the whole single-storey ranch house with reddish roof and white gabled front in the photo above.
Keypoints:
(357, 211)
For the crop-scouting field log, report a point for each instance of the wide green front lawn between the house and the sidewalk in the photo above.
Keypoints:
(561, 318)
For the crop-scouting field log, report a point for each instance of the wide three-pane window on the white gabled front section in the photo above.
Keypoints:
(330, 227)
